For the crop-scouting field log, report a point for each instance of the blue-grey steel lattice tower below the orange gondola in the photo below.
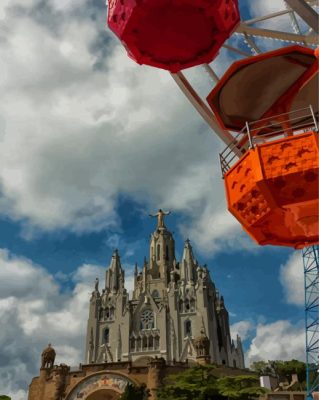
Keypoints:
(311, 274)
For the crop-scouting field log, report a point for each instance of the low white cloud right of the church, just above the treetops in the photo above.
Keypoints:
(280, 340)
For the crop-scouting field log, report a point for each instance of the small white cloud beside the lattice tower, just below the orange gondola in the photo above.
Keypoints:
(292, 279)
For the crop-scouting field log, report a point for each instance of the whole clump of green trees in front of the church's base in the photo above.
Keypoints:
(200, 383)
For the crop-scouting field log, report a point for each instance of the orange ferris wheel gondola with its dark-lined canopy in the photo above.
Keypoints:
(273, 189)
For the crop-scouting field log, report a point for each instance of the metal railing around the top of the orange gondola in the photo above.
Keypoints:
(267, 129)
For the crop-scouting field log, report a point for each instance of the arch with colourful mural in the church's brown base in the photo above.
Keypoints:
(104, 385)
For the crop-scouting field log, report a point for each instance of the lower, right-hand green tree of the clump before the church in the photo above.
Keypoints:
(241, 387)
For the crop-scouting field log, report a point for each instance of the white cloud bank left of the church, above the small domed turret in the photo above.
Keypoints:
(33, 312)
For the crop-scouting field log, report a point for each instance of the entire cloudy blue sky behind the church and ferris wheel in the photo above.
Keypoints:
(90, 144)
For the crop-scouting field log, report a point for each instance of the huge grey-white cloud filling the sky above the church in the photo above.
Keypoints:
(77, 130)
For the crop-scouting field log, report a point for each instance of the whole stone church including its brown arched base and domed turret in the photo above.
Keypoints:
(174, 318)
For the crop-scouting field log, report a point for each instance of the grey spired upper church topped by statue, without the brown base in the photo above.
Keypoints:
(174, 304)
